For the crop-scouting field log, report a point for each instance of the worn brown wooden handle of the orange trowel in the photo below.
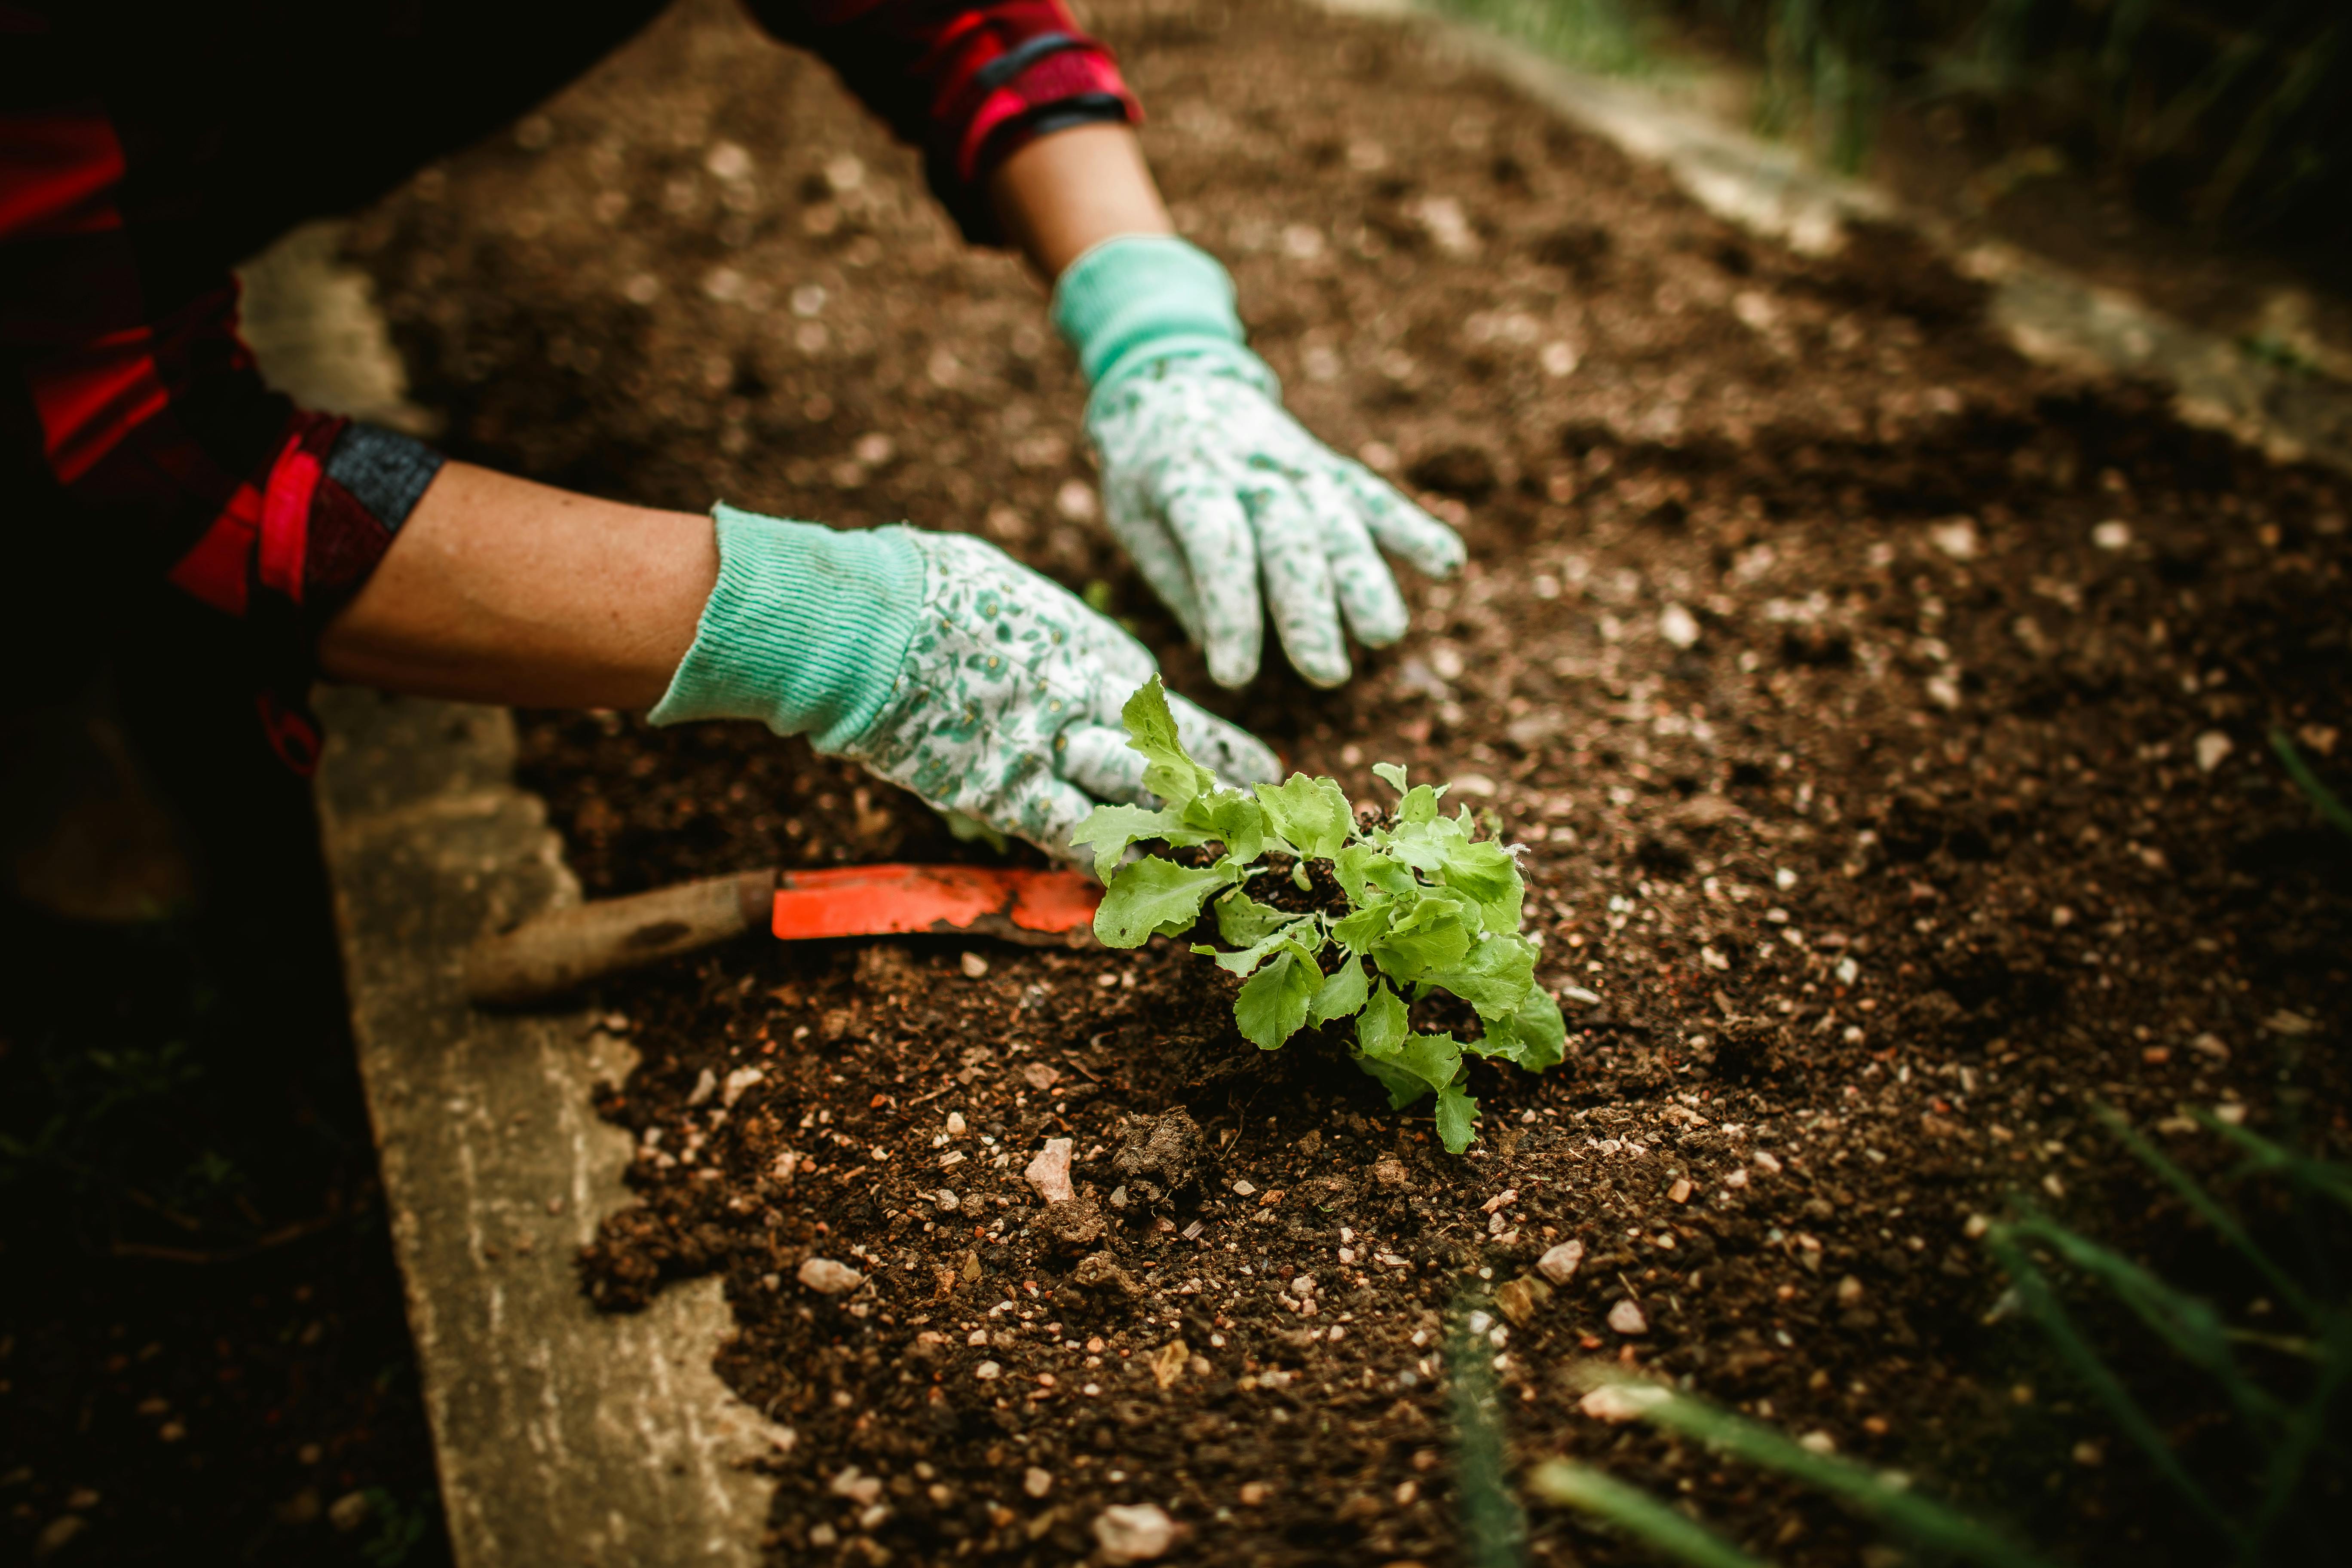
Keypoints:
(568, 949)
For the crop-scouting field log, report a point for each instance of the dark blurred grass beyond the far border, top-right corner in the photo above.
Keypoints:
(2219, 114)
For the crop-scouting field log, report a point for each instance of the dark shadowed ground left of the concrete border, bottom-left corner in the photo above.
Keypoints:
(201, 1320)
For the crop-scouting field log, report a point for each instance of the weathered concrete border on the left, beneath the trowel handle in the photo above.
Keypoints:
(563, 1435)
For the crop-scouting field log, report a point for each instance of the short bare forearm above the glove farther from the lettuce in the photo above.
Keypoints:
(1067, 194)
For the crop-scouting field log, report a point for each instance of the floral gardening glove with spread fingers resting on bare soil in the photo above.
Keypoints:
(1212, 488)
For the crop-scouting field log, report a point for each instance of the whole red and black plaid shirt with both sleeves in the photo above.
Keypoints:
(149, 149)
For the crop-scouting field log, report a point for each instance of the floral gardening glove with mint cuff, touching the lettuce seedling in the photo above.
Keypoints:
(937, 662)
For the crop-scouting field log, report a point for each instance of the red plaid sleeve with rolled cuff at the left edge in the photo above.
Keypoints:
(135, 413)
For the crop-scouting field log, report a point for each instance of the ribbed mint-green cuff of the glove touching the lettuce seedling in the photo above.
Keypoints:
(806, 629)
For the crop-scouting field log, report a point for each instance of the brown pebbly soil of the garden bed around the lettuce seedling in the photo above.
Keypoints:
(1885, 721)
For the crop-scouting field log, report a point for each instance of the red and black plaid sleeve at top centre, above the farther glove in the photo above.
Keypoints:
(965, 83)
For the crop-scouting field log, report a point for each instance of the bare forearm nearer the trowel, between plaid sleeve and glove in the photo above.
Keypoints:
(505, 591)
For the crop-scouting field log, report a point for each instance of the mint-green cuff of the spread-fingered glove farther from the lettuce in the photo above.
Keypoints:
(1142, 300)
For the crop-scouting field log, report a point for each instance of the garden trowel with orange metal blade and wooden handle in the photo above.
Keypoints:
(568, 949)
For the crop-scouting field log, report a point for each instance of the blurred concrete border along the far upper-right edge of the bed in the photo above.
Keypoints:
(2047, 314)
